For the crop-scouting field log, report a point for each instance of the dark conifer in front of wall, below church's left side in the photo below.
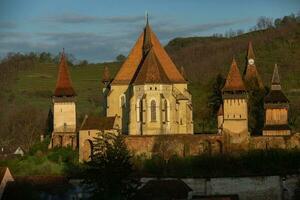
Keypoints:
(109, 173)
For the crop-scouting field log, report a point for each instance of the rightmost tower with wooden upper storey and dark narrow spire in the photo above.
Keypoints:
(276, 109)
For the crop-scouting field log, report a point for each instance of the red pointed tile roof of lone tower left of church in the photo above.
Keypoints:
(64, 84)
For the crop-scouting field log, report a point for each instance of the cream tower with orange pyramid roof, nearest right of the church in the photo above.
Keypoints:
(235, 112)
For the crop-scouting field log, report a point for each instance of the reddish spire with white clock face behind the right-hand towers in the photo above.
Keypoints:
(251, 76)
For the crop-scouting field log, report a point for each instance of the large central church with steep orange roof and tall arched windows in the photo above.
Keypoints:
(148, 93)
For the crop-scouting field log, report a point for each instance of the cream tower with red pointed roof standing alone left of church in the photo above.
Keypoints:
(64, 109)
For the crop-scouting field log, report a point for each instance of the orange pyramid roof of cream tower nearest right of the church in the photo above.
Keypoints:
(234, 80)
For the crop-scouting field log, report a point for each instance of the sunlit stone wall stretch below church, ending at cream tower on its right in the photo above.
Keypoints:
(181, 145)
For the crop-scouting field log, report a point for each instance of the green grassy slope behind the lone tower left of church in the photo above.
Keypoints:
(36, 86)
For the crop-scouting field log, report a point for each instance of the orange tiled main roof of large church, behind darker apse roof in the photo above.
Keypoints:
(147, 41)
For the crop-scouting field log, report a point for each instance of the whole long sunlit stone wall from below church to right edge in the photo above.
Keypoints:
(184, 145)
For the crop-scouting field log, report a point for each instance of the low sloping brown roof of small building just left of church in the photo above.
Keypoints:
(99, 123)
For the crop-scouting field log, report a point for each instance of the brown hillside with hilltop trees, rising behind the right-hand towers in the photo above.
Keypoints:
(205, 57)
